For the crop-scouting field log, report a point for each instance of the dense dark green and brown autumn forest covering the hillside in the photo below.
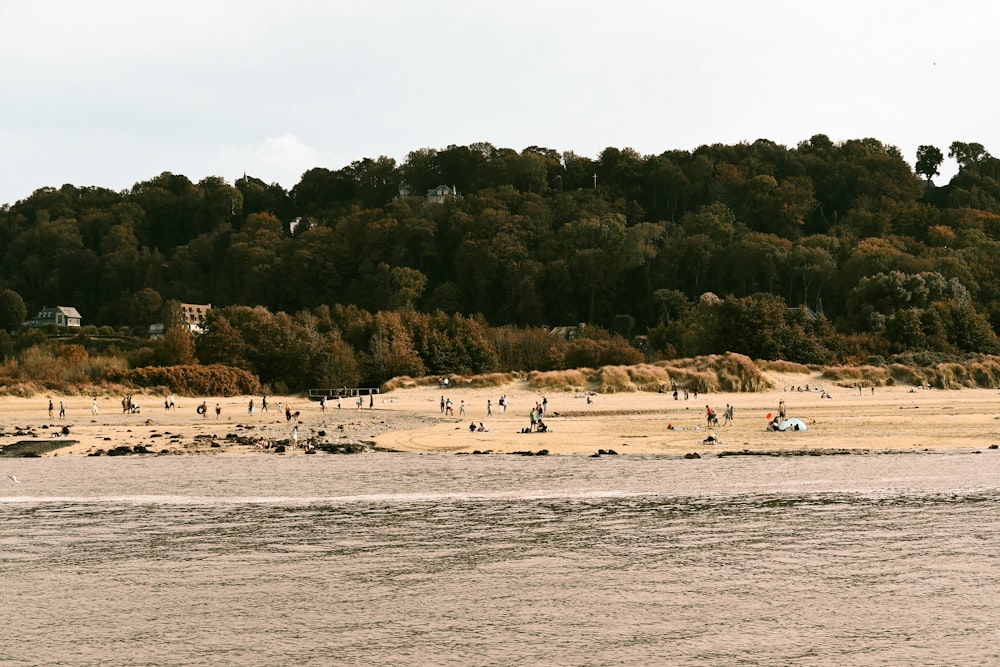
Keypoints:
(822, 252)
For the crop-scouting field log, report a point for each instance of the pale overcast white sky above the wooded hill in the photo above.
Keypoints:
(109, 93)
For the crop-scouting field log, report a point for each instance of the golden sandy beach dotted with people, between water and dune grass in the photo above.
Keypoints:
(890, 419)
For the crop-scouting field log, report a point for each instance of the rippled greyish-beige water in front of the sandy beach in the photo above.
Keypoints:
(392, 559)
